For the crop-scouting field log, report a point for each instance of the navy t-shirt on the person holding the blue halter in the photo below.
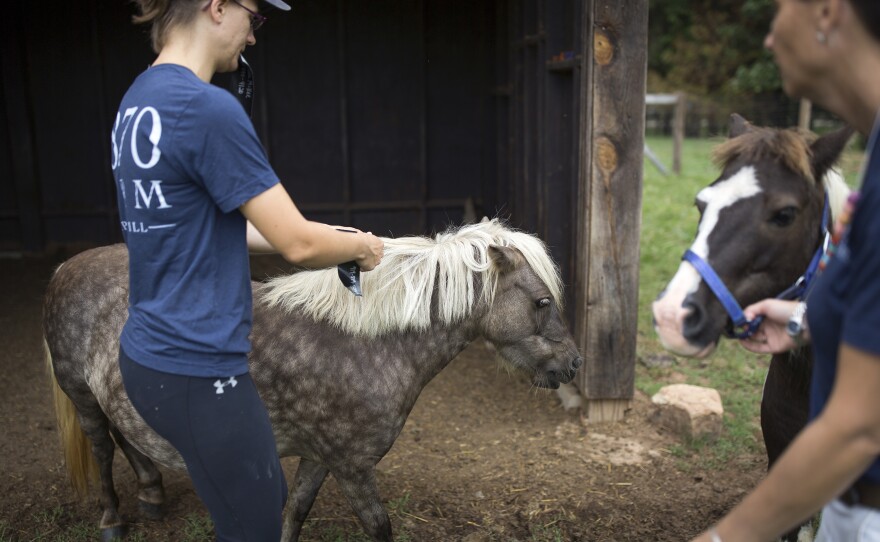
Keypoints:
(844, 306)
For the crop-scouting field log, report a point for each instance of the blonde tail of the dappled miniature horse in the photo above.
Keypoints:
(81, 465)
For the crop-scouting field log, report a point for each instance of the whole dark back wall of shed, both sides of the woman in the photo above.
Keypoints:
(378, 114)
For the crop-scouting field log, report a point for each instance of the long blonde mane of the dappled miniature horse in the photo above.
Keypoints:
(398, 293)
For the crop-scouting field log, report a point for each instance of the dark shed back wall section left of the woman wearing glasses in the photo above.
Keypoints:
(64, 67)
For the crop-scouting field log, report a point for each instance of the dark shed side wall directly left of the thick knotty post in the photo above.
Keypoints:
(545, 102)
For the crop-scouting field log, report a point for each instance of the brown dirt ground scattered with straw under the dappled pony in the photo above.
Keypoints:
(483, 456)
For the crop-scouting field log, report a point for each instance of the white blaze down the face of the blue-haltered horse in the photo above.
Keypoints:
(669, 312)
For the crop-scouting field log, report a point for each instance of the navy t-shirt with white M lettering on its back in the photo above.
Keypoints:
(185, 157)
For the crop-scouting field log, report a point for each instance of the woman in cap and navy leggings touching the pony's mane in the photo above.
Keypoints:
(195, 193)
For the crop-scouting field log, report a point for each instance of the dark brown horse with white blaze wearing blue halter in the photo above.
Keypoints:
(761, 224)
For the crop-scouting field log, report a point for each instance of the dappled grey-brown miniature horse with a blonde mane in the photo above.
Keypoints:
(338, 374)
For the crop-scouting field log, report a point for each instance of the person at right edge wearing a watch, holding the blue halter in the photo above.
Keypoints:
(829, 52)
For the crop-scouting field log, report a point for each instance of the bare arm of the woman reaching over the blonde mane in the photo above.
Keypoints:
(278, 226)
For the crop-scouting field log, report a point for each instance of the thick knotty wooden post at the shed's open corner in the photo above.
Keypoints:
(609, 205)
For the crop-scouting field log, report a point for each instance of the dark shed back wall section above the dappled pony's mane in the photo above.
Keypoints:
(389, 131)
